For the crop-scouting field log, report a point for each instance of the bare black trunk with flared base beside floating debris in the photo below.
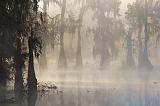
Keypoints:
(32, 80)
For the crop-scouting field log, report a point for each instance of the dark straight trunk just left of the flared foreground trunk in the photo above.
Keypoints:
(18, 66)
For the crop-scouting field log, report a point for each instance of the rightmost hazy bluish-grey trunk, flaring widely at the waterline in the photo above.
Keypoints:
(146, 62)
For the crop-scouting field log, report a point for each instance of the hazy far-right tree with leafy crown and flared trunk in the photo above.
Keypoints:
(139, 13)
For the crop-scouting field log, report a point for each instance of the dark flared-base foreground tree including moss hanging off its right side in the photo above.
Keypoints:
(35, 48)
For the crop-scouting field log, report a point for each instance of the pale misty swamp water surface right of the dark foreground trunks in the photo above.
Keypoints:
(98, 88)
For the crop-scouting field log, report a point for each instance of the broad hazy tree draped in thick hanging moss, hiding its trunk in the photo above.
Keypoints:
(108, 31)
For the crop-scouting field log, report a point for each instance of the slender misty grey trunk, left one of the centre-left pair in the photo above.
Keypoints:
(62, 63)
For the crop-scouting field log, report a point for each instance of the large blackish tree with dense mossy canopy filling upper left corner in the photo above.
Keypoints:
(16, 23)
